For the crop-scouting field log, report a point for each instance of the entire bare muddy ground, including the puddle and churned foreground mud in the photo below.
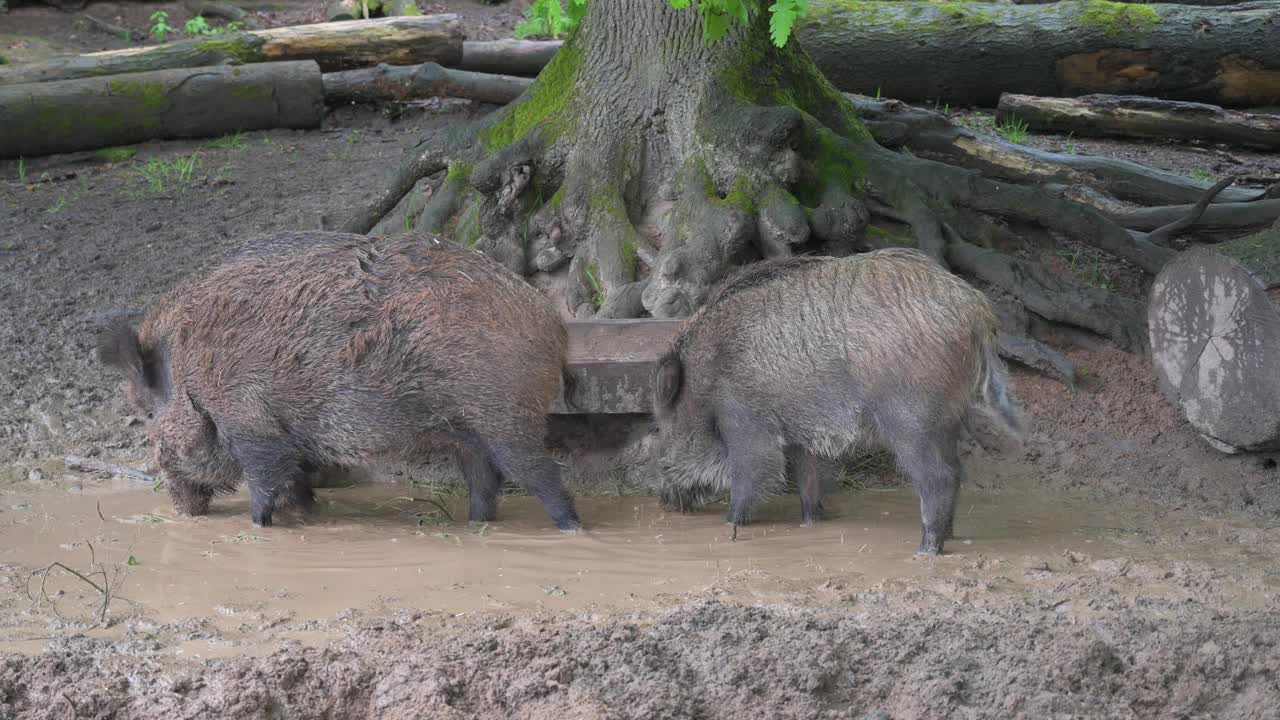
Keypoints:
(1114, 567)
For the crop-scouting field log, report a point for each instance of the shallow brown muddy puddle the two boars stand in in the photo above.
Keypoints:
(372, 546)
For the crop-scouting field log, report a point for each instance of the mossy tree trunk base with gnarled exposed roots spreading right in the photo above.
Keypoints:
(630, 183)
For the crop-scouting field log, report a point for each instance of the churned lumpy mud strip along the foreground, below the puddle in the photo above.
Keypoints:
(705, 660)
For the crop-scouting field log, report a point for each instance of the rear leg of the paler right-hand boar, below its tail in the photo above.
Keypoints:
(934, 466)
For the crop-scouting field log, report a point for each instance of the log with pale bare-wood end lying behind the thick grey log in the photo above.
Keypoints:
(335, 47)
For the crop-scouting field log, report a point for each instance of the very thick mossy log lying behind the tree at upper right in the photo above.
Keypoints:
(970, 53)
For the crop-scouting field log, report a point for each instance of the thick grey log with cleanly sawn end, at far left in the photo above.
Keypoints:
(83, 115)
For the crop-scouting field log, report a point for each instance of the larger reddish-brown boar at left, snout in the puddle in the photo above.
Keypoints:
(322, 349)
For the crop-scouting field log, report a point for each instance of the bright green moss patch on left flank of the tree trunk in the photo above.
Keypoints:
(546, 104)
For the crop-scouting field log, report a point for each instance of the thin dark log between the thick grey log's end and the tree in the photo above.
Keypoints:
(397, 83)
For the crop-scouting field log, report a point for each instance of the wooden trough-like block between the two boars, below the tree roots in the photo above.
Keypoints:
(614, 363)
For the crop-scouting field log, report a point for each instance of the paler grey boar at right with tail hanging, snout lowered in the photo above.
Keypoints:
(797, 361)
